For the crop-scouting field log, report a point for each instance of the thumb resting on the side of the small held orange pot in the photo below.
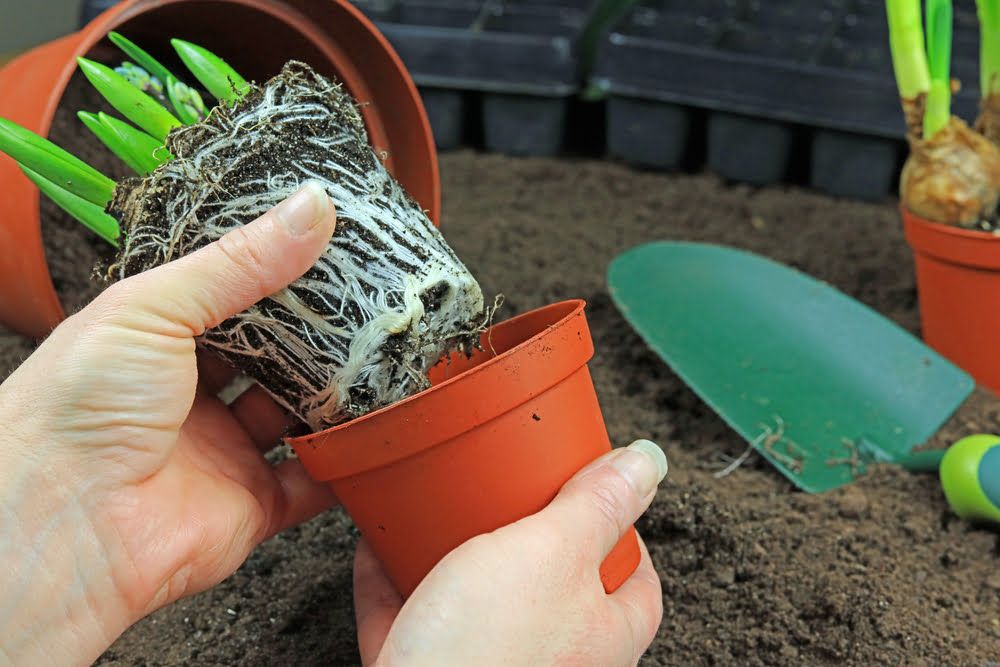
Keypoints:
(595, 508)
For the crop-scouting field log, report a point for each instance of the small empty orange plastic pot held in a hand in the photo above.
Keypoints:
(492, 441)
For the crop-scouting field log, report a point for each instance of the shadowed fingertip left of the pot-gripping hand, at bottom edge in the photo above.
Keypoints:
(376, 603)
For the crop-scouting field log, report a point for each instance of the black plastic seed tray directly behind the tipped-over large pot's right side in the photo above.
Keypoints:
(514, 64)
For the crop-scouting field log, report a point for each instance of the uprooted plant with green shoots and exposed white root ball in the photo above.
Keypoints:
(385, 301)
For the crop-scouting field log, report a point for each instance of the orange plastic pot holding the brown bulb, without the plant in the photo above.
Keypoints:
(958, 288)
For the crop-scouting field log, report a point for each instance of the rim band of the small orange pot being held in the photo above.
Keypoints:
(403, 429)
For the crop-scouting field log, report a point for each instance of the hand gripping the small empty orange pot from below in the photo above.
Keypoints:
(529, 593)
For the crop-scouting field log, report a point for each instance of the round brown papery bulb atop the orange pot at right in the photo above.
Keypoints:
(953, 177)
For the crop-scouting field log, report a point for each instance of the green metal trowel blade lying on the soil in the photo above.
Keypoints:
(821, 385)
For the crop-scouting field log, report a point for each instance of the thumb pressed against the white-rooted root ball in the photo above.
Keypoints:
(199, 291)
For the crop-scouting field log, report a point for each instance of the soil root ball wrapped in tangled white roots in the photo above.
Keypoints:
(386, 300)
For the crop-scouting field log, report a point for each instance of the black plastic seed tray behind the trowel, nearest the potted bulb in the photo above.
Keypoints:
(773, 75)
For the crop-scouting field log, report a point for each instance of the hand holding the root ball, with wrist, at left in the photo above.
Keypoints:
(125, 483)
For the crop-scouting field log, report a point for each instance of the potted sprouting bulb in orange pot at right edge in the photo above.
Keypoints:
(950, 185)
